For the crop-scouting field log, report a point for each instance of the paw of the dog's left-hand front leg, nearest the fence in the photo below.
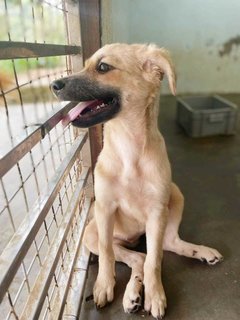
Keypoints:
(103, 291)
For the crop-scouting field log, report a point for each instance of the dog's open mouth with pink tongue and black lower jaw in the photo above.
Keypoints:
(88, 113)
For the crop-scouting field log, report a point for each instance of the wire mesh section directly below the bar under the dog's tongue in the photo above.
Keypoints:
(24, 182)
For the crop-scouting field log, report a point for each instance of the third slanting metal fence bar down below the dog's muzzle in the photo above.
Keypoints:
(39, 292)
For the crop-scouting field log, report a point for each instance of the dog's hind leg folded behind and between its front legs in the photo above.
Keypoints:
(135, 260)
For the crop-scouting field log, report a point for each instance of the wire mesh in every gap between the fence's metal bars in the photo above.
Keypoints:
(25, 100)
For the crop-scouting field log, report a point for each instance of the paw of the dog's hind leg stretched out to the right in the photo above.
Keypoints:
(209, 255)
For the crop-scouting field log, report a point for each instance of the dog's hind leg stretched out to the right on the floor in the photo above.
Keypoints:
(172, 241)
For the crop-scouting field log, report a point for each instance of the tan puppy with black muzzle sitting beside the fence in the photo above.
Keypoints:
(134, 193)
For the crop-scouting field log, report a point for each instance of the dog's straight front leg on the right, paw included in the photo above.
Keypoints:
(155, 299)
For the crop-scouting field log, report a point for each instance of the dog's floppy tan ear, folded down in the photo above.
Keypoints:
(158, 63)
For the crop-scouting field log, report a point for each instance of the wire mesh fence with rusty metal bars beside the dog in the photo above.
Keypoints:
(45, 180)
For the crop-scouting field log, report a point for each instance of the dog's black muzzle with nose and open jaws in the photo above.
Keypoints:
(104, 101)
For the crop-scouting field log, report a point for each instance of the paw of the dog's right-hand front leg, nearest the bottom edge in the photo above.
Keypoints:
(155, 301)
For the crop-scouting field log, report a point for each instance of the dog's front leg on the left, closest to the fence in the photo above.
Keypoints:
(104, 285)
